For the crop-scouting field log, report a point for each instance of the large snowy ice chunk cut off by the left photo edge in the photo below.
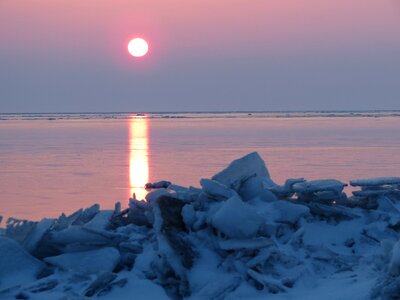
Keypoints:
(16, 265)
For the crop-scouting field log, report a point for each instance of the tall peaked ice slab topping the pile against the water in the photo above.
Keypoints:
(242, 169)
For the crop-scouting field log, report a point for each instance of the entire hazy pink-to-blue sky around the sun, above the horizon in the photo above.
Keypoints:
(71, 55)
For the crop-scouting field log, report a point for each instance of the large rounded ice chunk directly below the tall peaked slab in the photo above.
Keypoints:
(237, 219)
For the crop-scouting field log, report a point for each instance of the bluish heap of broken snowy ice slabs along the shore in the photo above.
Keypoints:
(240, 236)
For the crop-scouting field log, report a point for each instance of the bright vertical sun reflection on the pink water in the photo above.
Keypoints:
(138, 156)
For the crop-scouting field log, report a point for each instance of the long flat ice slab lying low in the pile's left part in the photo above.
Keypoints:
(87, 262)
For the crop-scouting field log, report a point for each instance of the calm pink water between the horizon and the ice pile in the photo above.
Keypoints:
(58, 163)
